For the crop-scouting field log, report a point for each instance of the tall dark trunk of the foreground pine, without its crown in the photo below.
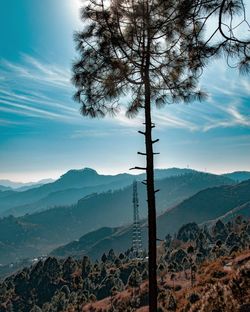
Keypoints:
(151, 199)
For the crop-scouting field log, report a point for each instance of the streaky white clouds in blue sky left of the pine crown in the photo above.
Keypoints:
(36, 89)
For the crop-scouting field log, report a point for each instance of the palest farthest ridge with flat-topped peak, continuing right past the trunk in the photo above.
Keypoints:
(72, 186)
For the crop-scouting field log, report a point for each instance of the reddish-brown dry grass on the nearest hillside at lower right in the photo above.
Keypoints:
(216, 285)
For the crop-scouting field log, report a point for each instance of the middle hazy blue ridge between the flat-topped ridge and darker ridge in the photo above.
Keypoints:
(39, 233)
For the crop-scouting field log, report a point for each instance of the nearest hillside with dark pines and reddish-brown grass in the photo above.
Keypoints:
(197, 263)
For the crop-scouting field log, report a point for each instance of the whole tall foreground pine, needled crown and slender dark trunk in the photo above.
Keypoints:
(153, 52)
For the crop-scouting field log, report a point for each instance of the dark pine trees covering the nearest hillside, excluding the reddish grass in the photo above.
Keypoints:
(71, 284)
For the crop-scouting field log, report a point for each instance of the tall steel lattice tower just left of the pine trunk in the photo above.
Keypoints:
(137, 241)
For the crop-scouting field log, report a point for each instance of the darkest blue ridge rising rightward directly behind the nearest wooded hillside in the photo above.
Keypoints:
(223, 202)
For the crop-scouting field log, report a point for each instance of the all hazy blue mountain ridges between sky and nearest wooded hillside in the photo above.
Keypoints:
(40, 220)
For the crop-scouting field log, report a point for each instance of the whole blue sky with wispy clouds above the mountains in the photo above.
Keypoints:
(43, 135)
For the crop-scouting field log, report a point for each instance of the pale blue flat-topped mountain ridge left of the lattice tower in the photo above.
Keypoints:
(87, 180)
